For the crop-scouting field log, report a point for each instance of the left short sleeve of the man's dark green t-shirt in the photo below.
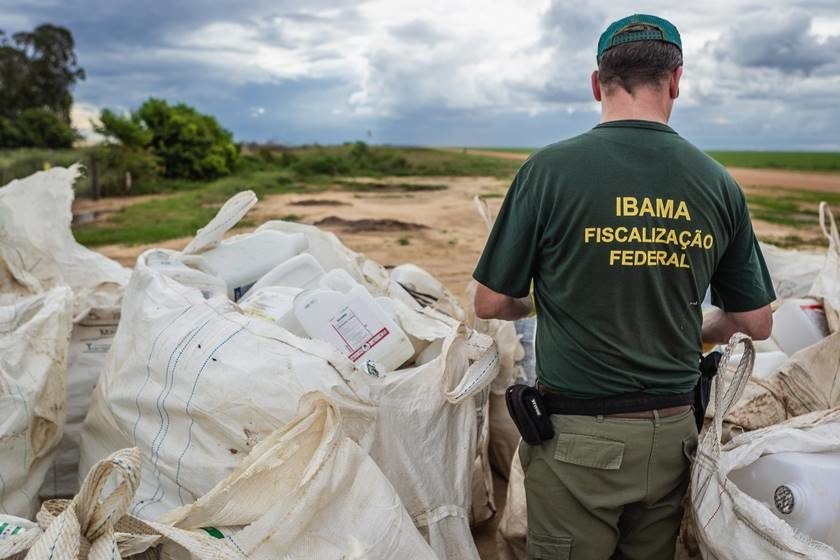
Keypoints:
(506, 266)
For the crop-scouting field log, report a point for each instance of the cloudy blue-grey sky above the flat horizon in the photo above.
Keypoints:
(758, 74)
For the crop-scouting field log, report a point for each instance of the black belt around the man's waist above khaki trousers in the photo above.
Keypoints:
(556, 403)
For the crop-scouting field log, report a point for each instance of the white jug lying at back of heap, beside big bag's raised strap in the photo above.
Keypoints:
(241, 261)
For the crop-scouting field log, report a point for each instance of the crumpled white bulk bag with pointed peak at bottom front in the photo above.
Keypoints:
(306, 491)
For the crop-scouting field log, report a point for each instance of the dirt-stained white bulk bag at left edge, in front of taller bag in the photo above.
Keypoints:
(34, 336)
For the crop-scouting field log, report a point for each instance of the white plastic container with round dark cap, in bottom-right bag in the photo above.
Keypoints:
(799, 488)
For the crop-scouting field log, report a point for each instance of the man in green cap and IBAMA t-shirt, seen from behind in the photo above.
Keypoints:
(621, 230)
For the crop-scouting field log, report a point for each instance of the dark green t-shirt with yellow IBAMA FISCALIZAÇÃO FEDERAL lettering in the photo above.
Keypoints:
(622, 229)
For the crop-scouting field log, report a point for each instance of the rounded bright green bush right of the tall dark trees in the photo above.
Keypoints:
(190, 145)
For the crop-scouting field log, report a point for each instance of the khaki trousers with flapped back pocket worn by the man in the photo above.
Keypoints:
(608, 488)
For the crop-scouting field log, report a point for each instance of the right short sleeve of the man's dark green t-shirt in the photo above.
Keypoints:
(742, 281)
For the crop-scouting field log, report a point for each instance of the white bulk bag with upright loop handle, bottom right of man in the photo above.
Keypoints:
(728, 523)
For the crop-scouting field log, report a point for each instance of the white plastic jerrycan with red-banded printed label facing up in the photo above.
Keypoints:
(343, 313)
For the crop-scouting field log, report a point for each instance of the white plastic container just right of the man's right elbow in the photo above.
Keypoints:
(799, 323)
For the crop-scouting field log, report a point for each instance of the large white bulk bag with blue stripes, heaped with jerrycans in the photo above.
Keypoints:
(195, 383)
